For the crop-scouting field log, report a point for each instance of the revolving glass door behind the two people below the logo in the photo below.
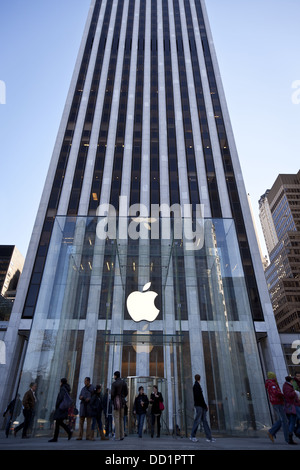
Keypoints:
(147, 382)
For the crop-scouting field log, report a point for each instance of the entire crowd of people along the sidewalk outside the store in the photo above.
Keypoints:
(113, 407)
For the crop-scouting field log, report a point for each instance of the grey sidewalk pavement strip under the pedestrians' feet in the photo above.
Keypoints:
(133, 443)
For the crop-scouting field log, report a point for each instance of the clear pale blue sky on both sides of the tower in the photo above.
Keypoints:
(257, 43)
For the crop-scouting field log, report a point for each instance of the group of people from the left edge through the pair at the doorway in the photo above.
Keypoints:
(94, 406)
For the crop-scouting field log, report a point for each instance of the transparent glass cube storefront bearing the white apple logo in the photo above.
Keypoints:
(190, 315)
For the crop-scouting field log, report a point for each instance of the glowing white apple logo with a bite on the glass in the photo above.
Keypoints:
(140, 305)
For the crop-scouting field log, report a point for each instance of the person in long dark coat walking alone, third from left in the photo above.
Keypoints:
(63, 403)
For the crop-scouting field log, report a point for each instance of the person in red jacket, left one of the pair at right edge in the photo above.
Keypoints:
(276, 399)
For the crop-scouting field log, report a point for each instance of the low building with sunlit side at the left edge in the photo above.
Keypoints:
(11, 266)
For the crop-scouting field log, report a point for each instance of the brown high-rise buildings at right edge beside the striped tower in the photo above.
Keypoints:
(283, 273)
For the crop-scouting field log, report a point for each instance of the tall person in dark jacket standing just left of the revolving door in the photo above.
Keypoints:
(119, 392)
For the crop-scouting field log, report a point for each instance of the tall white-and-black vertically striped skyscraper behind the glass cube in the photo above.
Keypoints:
(143, 257)
